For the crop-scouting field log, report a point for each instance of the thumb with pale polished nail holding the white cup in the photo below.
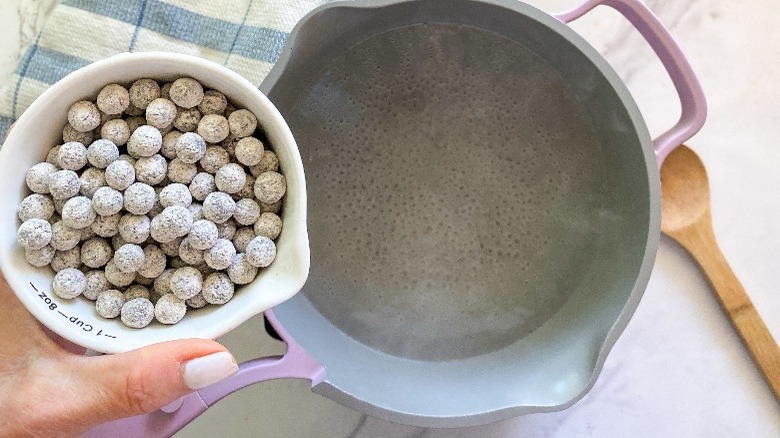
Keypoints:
(144, 380)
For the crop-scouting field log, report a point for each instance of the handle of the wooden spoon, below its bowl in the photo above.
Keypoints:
(702, 245)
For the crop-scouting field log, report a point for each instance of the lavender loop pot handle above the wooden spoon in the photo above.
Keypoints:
(693, 104)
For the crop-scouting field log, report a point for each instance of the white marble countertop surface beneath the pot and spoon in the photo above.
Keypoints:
(679, 369)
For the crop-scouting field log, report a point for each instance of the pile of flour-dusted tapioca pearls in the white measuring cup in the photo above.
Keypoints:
(159, 199)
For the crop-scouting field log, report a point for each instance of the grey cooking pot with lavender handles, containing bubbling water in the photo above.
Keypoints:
(484, 209)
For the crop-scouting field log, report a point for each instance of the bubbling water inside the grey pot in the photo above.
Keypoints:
(454, 189)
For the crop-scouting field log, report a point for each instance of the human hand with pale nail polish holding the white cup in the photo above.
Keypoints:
(48, 388)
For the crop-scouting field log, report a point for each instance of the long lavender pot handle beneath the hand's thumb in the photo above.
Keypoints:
(295, 364)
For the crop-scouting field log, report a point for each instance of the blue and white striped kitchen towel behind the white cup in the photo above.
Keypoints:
(247, 36)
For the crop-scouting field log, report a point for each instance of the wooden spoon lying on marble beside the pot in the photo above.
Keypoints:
(686, 218)
